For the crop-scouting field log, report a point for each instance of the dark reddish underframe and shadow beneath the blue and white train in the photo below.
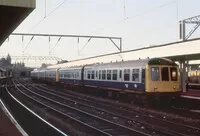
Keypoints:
(158, 98)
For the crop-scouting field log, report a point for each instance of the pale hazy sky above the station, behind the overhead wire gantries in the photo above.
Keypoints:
(139, 23)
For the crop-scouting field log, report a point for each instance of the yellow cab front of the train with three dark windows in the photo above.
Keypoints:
(162, 78)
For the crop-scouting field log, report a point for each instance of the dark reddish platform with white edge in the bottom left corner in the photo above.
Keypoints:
(8, 125)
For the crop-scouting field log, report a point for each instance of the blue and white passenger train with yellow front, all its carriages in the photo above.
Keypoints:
(157, 76)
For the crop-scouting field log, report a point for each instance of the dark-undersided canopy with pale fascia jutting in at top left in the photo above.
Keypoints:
(12, 13)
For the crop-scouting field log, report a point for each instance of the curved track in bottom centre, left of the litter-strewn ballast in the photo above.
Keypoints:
(100, 125)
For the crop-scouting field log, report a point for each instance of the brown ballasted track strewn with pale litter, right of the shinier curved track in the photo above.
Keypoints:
(128, 118)
